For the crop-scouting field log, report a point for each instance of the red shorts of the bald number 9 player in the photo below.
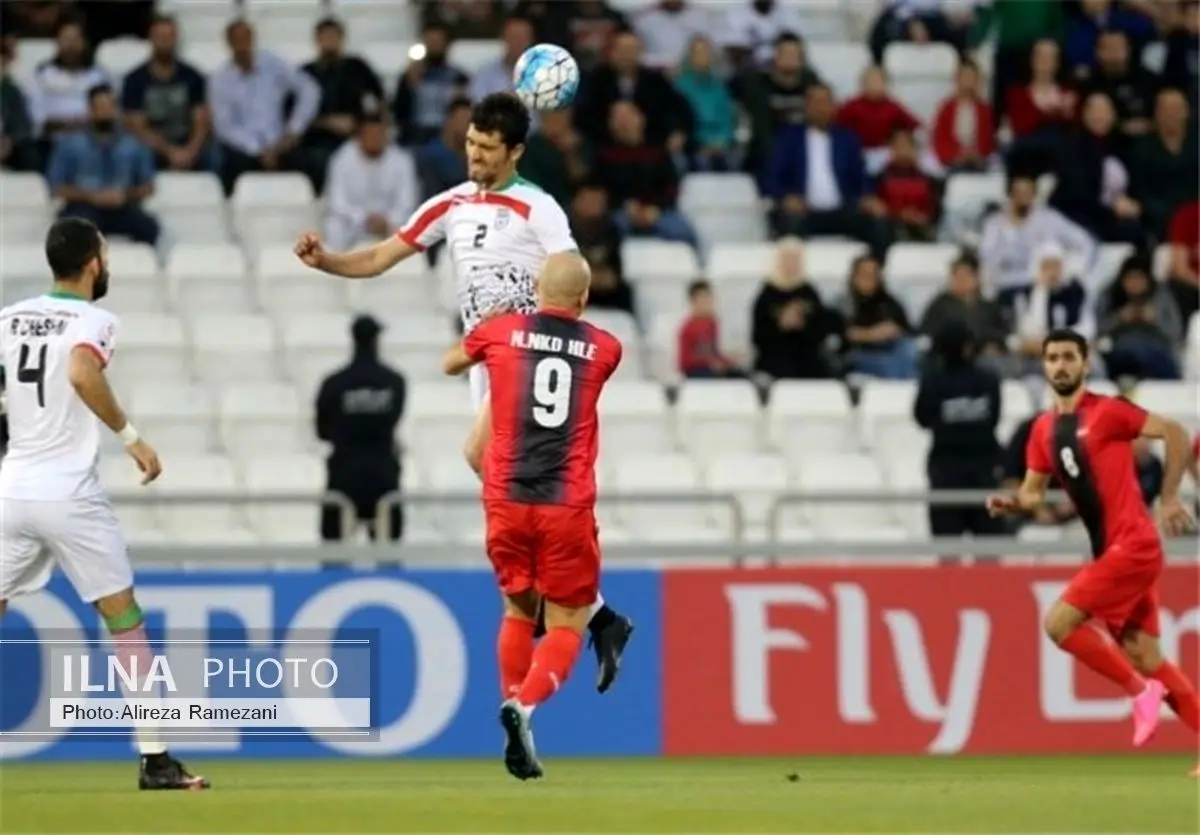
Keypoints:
(551, 549)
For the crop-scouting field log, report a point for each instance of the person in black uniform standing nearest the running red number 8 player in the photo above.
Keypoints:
(958, 401)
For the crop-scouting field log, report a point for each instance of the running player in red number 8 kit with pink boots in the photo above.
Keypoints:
(1087, 442)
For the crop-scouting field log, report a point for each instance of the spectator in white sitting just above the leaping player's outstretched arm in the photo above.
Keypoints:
(371, 188)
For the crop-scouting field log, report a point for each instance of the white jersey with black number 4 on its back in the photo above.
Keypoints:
(53, 437)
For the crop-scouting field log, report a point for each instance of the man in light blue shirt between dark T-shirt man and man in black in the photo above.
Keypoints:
(248, 98)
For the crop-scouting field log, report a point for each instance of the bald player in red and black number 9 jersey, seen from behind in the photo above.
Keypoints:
(547, 371)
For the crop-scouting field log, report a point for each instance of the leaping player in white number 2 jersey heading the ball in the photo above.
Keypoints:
(499, 231)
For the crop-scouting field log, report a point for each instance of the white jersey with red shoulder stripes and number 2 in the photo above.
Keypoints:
(497, 242)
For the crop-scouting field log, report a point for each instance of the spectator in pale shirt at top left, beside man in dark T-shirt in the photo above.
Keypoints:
(58, 97)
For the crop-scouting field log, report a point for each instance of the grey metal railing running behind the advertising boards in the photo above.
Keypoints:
(736, 549)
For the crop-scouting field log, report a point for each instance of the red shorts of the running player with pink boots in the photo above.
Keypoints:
(1121, 588)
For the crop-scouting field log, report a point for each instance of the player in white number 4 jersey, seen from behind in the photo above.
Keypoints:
(55, 350)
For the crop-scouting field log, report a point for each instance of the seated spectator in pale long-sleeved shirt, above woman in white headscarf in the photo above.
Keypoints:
(1015, 233)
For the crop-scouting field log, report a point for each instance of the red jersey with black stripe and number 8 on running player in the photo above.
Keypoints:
(1091, 453)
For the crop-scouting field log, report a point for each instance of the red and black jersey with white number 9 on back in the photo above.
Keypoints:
(545, 374)
